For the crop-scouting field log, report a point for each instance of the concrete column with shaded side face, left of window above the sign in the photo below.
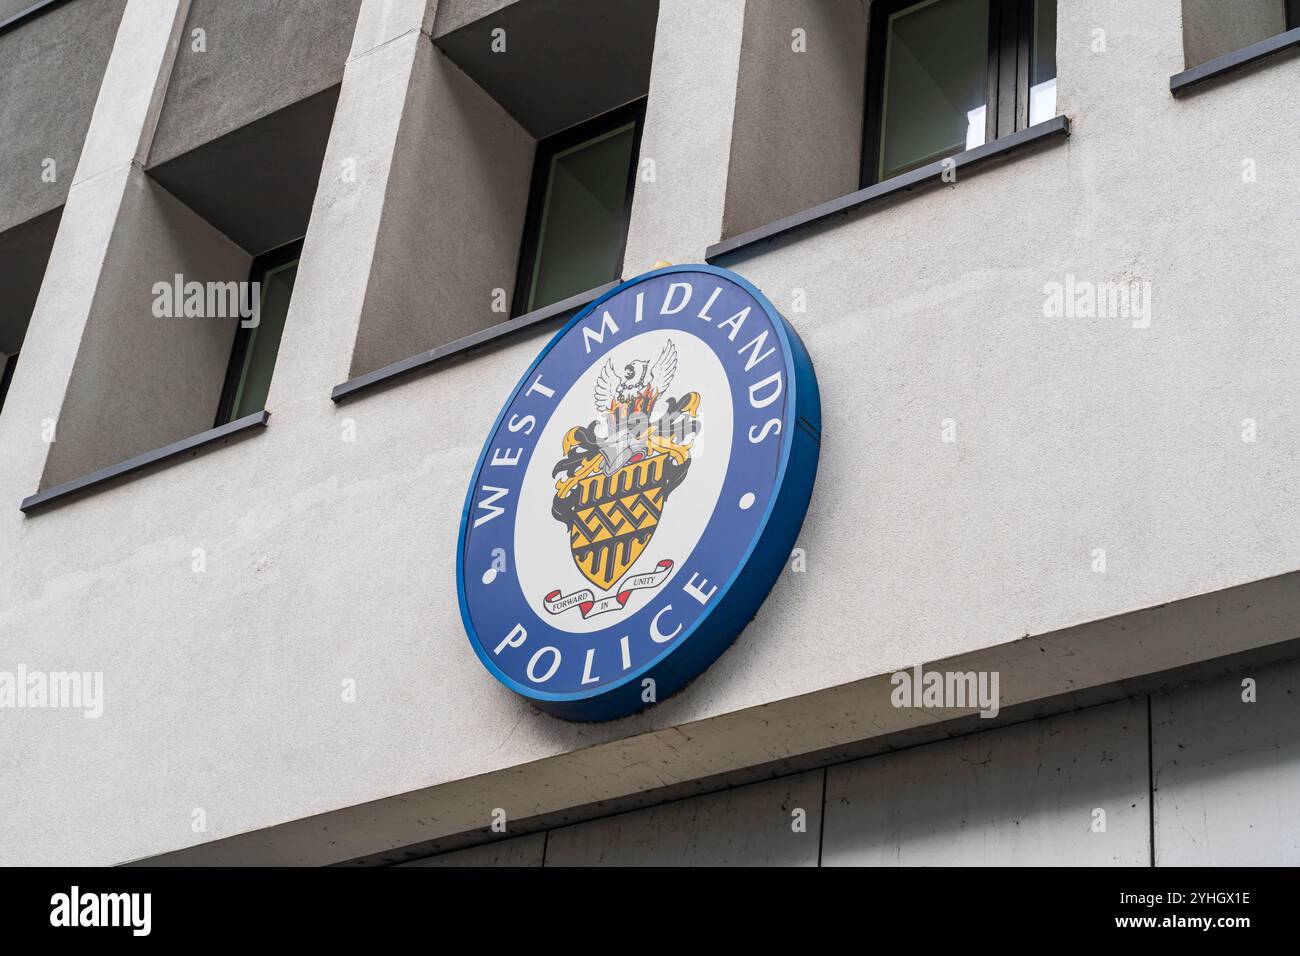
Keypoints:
(417, 217)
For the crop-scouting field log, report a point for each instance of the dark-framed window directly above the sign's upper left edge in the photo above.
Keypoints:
(577, 226)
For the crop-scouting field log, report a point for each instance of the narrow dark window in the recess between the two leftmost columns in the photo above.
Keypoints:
(253, 358)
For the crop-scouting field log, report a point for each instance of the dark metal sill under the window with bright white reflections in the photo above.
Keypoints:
(1058, 127)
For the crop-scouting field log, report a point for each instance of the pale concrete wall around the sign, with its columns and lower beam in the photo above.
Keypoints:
(332, 560)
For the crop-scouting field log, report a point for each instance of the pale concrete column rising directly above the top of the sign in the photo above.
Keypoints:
(678, 214)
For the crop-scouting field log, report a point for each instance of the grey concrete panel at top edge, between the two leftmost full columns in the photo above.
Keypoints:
(259, 58)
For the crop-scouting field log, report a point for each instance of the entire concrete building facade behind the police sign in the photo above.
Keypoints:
(1060, 436)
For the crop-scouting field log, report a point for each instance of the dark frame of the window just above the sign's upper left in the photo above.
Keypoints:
(545, 153)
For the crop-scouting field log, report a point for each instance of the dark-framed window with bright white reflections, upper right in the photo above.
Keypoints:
(946, 76)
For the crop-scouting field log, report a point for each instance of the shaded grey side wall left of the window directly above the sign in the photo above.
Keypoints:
(453, 218)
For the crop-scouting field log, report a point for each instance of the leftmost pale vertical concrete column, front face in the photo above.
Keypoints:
(116, 144)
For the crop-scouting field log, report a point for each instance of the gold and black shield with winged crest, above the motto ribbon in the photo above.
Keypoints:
(618, 473)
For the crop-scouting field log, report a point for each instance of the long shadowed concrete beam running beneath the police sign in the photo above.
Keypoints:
(833, 725)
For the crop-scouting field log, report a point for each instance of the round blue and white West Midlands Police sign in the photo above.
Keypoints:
(639, 495)
